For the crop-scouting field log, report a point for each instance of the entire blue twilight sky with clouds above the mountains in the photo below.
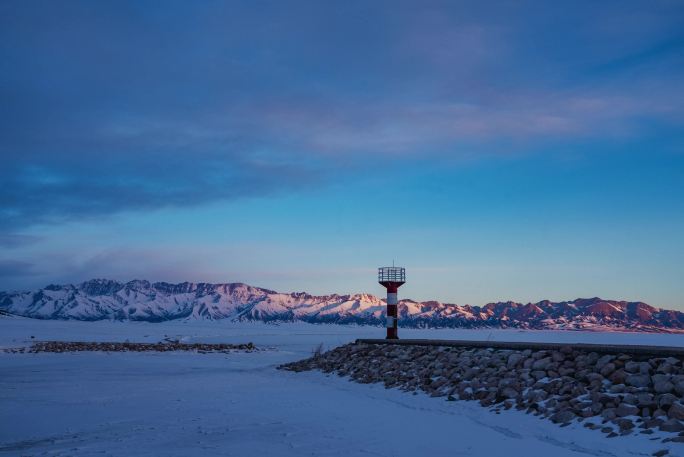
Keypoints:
(499, 150)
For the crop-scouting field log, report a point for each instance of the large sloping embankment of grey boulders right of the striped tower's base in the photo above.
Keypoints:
(622, 393)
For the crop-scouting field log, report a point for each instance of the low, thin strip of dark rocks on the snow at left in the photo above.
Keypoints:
(78, 346)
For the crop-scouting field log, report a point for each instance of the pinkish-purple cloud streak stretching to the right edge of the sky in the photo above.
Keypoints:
(409, 128)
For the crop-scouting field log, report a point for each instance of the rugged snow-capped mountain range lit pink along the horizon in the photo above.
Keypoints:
(100, 299)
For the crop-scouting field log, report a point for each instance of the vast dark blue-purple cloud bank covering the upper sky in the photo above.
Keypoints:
(114, 107)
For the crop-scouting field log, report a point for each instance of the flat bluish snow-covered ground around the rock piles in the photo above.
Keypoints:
(184, 404)
